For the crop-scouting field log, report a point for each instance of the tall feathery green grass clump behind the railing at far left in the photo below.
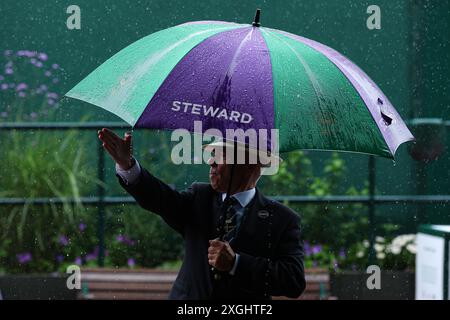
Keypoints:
(41, 165)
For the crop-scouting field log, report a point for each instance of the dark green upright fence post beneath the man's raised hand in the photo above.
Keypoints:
(101, 205)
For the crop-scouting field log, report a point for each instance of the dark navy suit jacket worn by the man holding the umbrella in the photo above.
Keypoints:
(268, 241)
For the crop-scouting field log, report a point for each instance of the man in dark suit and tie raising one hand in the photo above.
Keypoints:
(261, 253)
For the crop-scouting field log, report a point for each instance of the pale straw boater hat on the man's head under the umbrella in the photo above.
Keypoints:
(266, 158)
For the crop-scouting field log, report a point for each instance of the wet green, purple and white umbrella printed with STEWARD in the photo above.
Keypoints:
(230, 75)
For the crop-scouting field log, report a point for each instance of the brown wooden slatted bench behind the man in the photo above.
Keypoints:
(153, 284)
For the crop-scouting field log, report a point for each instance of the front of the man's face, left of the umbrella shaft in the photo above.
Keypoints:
(219, 171)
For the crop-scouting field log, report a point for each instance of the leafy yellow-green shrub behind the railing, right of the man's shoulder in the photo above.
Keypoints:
(335, 226)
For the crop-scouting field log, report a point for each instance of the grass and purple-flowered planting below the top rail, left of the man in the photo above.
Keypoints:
(46, 238)
